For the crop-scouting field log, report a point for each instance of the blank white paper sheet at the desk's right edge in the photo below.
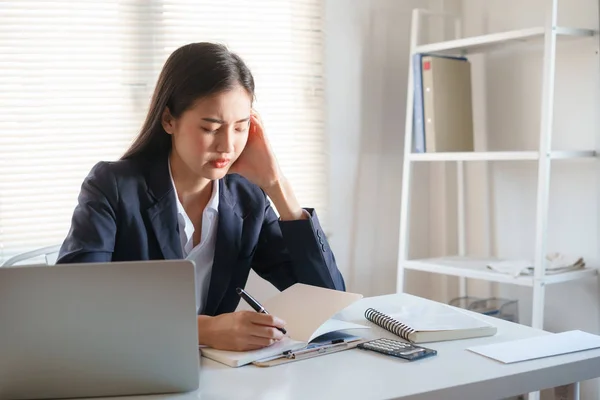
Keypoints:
(539, 346)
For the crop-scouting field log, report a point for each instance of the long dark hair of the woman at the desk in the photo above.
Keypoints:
(193, 71)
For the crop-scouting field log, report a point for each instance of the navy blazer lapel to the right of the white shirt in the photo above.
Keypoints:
(229, 234)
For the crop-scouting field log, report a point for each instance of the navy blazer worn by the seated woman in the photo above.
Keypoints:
(127, 211)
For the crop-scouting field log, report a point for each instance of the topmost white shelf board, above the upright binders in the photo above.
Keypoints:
(482, 43)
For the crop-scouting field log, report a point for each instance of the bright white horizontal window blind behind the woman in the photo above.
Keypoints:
(76, 79)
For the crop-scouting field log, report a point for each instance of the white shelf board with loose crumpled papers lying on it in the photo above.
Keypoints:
(475, 268)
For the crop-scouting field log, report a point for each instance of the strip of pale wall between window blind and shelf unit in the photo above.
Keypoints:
(366, 60)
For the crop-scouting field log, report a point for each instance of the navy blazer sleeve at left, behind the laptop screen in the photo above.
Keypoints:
(91, 237)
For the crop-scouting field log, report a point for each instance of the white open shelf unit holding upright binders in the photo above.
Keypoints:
(461, 265)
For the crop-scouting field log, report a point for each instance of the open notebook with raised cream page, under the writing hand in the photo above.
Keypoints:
(307, 311)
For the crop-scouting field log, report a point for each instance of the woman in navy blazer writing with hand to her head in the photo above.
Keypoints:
(194, 184)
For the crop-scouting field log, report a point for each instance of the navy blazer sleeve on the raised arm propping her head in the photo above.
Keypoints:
(291, 252)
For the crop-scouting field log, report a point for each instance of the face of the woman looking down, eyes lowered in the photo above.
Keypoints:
(210, 136)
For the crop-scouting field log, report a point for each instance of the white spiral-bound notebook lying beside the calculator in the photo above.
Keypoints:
(430, 323)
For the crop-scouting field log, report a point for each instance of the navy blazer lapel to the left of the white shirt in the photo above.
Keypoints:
(162, 213)
